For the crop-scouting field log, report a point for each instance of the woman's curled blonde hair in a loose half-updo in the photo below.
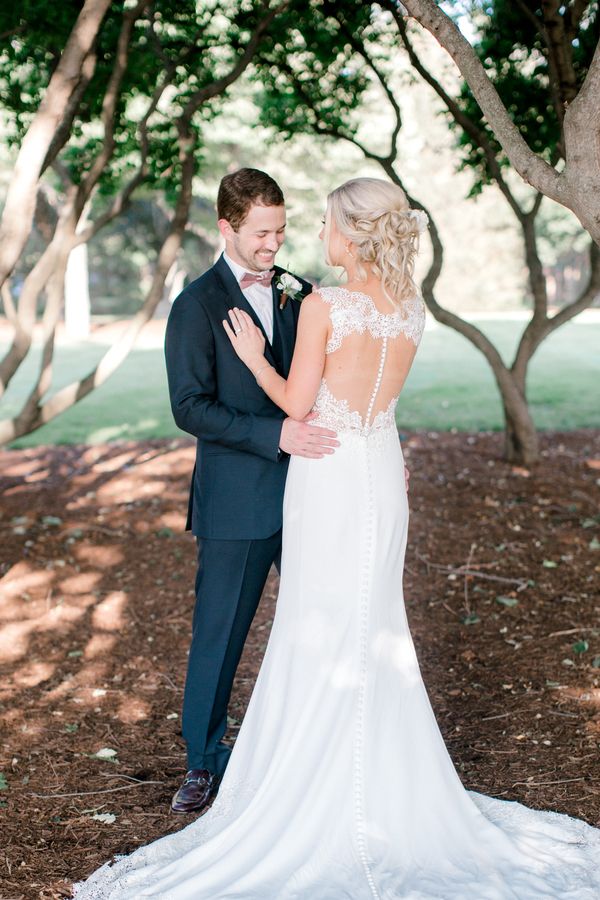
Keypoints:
(375, 215)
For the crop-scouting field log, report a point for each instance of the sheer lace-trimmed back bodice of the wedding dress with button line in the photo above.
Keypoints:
(369, 355)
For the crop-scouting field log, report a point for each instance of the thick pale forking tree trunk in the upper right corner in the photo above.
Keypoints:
(576, 97)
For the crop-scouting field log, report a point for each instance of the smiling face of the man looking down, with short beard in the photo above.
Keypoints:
(255, 243)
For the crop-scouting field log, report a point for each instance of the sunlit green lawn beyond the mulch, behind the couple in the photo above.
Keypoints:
(450, 386)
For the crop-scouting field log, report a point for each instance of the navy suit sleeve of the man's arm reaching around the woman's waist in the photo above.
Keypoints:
(190, 358)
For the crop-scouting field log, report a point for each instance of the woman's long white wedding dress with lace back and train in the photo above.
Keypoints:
(340, 786)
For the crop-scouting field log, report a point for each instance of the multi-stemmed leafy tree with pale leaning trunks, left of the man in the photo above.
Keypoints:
(121, 132)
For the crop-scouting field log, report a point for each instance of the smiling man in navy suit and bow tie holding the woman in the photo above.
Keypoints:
(242, 454)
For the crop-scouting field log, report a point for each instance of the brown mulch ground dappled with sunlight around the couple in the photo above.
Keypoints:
(95, 606)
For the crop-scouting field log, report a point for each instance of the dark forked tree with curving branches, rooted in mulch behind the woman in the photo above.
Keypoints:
(316, 87)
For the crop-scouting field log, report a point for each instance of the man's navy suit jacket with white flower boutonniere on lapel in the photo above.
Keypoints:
(239, 477)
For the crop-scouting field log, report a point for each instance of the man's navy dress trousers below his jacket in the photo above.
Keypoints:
(230, 579)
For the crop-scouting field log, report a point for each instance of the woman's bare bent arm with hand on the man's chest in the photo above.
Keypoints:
(296, 395)
